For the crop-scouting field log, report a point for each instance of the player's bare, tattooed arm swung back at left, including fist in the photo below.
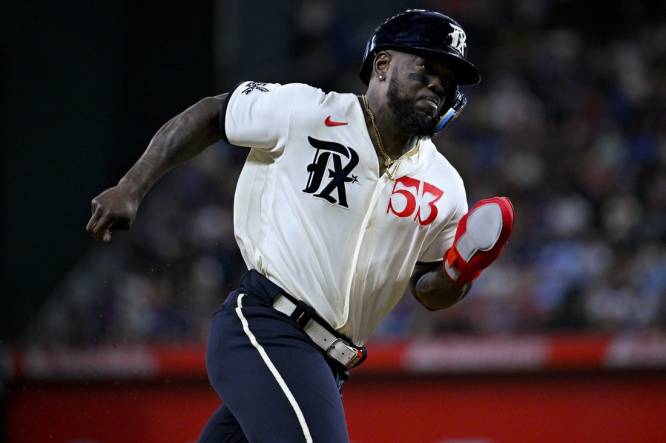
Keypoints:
(178, 140)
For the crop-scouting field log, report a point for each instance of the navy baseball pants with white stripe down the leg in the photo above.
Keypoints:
(276, 384)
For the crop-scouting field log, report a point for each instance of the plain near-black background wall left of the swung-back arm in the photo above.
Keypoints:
(84, 86)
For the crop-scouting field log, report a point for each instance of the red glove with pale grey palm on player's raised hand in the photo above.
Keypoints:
(480, 238)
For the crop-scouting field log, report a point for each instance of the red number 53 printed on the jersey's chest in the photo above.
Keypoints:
(411, 197)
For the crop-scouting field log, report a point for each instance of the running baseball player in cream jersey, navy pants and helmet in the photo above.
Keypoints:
(343, 201)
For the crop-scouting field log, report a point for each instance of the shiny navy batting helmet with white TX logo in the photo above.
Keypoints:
(422, 32)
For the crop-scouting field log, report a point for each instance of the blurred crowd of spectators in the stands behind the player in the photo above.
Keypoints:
(569, 122)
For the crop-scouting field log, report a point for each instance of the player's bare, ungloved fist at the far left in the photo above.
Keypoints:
(113, 209)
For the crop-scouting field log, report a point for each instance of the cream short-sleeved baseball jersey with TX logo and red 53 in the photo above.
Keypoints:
(312, 213)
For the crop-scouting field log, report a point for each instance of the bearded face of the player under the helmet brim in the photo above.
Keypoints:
(418, 86)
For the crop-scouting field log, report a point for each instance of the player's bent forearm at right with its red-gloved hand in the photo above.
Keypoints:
(480, 238)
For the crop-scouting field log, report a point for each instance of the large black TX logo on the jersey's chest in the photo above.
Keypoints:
(327, 173)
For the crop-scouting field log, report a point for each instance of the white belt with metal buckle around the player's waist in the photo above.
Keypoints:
(334, 347)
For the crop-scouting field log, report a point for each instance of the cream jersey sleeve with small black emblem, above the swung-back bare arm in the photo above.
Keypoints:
(257, 114)
